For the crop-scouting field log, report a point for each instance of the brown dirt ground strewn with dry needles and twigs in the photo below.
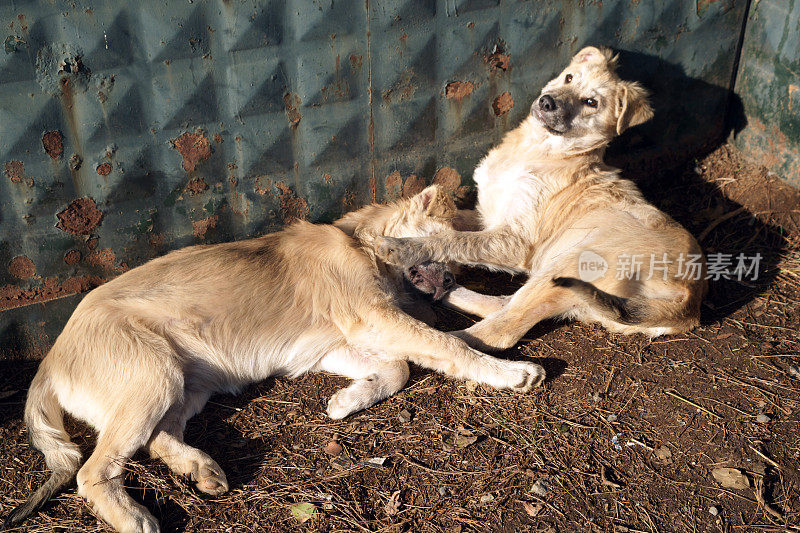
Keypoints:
(624, 437)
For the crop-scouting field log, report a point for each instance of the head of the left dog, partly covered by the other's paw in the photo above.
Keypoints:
(426, 213)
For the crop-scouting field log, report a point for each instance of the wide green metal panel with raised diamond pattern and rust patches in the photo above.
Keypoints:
(129, 129)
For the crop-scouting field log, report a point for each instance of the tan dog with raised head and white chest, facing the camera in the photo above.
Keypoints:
(548, 206)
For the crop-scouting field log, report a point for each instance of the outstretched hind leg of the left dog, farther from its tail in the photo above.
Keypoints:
(167, 444)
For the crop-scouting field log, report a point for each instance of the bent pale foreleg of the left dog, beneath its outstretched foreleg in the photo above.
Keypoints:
(374, 379)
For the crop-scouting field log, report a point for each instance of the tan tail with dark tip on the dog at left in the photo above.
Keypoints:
(45, 421)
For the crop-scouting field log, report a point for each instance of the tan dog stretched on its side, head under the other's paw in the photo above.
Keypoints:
(143, 353)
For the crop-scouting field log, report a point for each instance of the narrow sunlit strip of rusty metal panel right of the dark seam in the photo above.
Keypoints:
(769, 84)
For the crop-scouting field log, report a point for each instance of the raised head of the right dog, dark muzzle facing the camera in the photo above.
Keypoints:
(587, 105)
